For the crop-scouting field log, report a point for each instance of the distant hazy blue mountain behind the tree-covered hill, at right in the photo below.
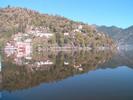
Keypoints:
(122, 36)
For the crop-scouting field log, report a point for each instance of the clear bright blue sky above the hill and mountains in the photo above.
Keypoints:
(101, 12)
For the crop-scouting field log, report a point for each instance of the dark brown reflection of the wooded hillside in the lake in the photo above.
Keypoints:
(29, 75)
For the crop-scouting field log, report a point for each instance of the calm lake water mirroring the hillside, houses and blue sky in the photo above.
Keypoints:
(71, 75)
